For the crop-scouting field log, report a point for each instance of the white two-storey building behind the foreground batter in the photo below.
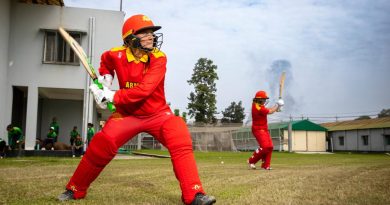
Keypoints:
(40, 77)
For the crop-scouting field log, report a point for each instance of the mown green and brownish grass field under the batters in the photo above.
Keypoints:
(296, 179)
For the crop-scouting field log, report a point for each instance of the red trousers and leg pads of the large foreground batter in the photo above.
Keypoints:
(169, 130)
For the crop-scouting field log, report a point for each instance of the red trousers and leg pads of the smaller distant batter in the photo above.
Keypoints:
(264, 152)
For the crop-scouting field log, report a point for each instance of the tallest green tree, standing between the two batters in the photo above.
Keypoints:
(203, 101)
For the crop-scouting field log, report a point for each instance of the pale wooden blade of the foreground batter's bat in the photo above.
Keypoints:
(79, 51)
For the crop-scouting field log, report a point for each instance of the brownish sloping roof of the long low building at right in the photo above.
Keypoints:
(383, 122)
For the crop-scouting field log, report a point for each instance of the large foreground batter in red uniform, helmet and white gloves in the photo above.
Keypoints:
(140, 67)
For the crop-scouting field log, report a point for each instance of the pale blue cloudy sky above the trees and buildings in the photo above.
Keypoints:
(336, 54)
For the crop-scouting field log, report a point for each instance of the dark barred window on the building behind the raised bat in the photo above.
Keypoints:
(56, 50)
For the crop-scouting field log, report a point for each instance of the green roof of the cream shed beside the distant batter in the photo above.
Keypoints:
(306, 125)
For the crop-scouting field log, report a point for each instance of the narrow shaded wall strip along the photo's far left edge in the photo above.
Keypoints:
(5, 115)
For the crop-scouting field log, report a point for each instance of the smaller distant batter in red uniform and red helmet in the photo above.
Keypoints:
(260, 130)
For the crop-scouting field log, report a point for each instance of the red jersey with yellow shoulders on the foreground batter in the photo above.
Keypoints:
(141, 82)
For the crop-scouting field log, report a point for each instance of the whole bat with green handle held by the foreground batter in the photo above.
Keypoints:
(79, 51)
